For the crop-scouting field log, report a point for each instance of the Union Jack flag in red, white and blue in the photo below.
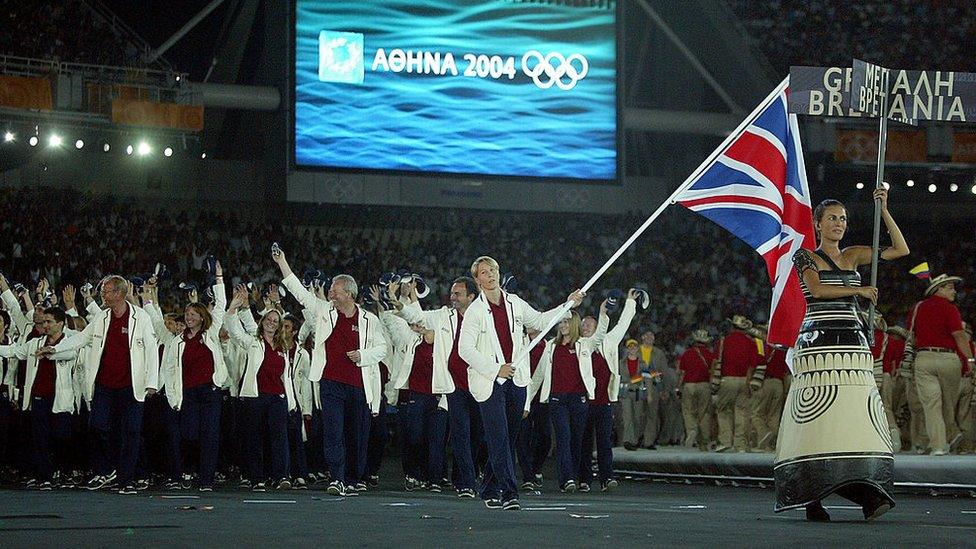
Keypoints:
(755, 186)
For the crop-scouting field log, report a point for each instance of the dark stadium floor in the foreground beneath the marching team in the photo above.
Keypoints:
(639, 513)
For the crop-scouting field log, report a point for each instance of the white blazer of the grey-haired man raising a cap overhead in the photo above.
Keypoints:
(372, 345)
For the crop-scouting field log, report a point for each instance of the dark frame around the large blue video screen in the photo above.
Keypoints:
(294, 166)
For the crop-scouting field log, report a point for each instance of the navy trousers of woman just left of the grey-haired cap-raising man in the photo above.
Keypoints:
(265, 418)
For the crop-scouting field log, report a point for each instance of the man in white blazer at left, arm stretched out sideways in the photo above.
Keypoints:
(121, 368)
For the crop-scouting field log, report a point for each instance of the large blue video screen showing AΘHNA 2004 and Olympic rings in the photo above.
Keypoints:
(521, 88)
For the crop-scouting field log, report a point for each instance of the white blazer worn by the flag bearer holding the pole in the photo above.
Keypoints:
(478, 343)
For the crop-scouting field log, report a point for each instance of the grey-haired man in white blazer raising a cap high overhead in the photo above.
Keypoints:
(349, 346)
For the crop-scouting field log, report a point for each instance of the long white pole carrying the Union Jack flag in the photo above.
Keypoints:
(670, 200)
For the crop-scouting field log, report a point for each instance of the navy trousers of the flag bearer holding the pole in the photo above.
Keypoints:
(501, 417)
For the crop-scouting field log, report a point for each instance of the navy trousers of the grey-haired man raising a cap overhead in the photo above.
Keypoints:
(345, 420)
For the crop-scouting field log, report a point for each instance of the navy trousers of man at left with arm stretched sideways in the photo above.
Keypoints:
(116, 422)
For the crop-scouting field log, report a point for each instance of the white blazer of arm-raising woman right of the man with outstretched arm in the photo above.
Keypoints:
(171, 370)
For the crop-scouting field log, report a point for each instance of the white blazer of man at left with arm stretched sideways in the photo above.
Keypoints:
(143, 350)
